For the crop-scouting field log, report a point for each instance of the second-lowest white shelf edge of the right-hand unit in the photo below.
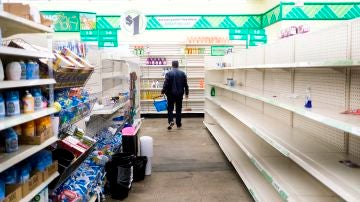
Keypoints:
(303, 161)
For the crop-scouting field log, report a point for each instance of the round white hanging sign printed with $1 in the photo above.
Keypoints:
(133, 22)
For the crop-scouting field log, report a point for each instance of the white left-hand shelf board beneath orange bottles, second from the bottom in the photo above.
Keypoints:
(7, 160)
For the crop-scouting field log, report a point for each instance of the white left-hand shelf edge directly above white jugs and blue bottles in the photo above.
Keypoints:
(18, 52)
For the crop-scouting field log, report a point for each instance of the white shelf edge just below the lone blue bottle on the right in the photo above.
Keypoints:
(332, 122)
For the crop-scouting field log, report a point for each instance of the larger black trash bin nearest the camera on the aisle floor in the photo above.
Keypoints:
(119, 172)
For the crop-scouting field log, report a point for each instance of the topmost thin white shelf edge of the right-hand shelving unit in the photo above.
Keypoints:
(330, 64)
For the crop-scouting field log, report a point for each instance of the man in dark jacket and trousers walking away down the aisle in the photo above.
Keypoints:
(175, 85)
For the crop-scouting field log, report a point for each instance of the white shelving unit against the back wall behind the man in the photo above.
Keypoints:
(191, 64)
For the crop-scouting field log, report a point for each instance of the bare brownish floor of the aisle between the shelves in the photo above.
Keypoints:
(188, 166)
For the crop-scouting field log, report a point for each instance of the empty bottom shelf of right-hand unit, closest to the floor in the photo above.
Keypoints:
(287, 178)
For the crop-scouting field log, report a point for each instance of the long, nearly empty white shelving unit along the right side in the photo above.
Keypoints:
(305, 152)
